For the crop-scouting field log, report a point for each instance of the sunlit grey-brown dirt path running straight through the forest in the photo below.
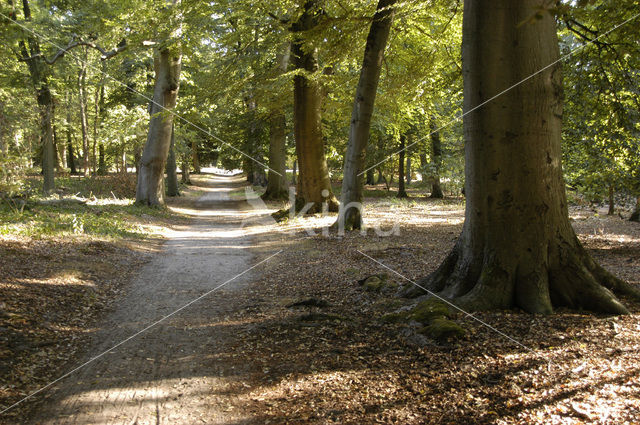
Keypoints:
(171, 373)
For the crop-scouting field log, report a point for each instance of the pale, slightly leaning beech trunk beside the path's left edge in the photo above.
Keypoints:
(149, 190)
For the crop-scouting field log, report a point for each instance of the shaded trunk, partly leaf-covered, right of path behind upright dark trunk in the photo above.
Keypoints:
(277, 185)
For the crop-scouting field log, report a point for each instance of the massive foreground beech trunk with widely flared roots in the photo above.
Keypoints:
(517, 247)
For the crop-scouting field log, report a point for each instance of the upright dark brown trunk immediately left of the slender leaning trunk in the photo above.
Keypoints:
(314, 185)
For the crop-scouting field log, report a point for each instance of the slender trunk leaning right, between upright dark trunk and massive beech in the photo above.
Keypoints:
(352, 184)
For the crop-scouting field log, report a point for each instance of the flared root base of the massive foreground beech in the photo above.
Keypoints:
(574, 281)
